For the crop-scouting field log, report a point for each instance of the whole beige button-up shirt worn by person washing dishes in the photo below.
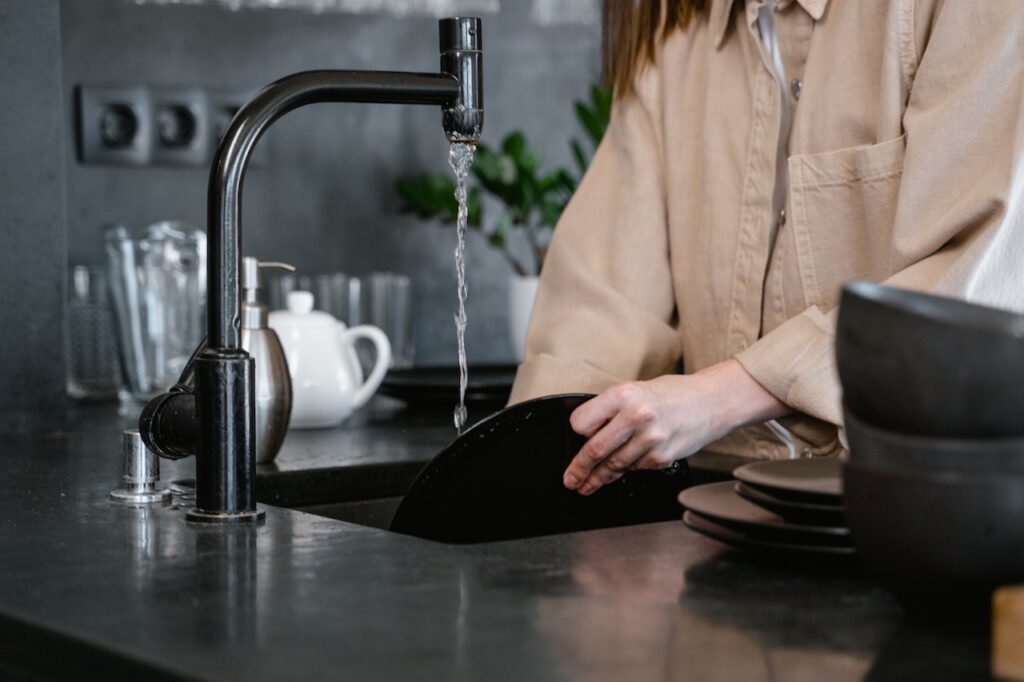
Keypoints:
(907, 166)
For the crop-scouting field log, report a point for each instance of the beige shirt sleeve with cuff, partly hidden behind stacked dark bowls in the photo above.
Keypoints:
(960, 219)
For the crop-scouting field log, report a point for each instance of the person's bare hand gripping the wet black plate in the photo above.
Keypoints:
(651, 424)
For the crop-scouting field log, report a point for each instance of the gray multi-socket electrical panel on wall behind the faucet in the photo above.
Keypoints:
(167, 126)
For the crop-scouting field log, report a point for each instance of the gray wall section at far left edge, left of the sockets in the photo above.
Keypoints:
(33, 257)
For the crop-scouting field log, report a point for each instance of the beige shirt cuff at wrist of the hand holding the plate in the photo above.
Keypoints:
(796, 363)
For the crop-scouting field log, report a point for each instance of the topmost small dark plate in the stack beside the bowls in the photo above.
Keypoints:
(815, 481)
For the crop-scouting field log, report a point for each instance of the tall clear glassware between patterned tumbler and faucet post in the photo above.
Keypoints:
(158, 289)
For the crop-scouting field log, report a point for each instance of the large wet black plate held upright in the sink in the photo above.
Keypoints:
(503, 480)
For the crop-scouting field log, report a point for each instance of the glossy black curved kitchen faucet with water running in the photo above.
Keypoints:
(210, 413)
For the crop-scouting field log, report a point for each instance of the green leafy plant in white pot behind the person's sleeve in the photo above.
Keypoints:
(528, 198)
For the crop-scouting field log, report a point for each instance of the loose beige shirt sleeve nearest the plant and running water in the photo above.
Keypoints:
(606, 310)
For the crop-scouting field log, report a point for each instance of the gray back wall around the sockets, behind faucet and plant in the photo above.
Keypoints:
(323, 198)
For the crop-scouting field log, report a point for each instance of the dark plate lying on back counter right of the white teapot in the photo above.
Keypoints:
(489, 385)
